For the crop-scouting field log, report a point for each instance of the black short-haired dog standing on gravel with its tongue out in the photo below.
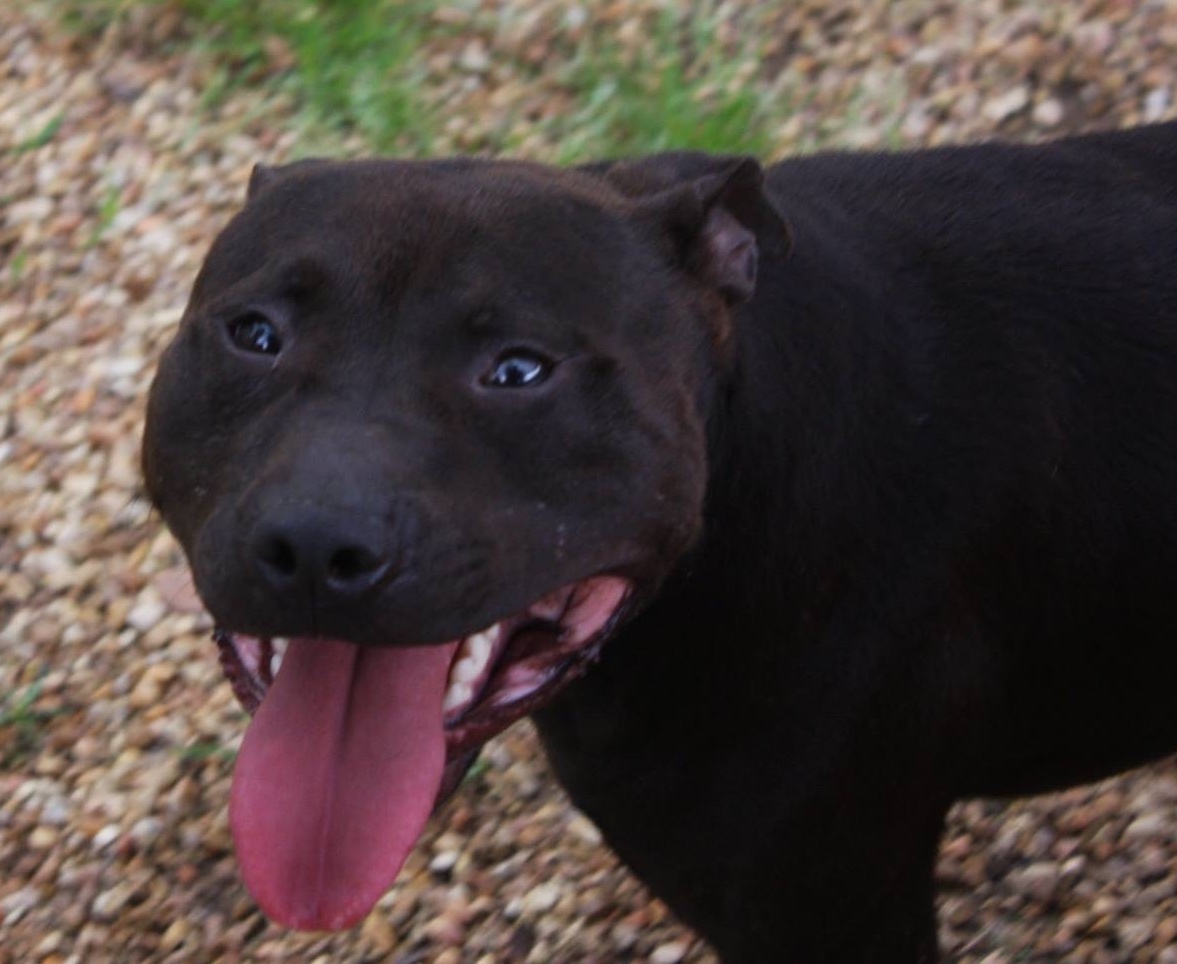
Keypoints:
(795, 504)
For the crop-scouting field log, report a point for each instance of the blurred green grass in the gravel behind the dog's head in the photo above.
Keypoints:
(360, 68)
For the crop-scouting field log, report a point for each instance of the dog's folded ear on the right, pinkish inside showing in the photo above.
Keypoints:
(714, 211)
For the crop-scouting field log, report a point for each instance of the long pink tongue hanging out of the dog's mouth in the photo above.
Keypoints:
(337, 776)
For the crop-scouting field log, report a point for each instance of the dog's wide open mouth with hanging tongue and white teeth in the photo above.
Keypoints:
(351, 748)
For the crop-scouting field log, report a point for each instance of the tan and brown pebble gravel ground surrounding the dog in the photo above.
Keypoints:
(116, 733)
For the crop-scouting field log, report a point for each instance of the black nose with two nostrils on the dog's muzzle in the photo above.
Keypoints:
(329, 557)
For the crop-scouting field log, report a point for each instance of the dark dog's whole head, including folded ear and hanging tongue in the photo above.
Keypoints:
(427, 435)
